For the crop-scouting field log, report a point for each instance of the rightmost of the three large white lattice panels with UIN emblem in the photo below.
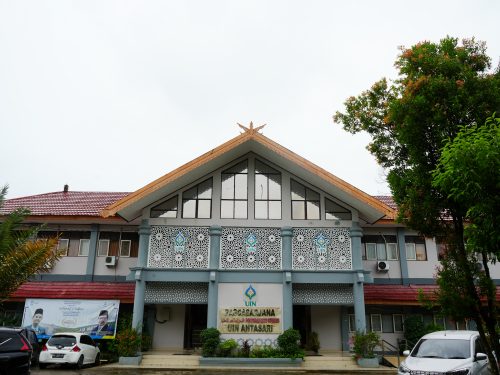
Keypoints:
(321, 249)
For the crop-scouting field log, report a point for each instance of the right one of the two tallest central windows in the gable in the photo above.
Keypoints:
(267, 192)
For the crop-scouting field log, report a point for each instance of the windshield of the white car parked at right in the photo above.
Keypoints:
(442, 348)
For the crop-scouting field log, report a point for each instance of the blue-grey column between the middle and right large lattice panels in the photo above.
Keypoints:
(286, 259)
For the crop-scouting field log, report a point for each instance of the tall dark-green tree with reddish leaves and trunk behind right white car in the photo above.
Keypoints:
(442, 88)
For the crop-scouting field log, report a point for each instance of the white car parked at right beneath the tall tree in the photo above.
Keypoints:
(450, 352)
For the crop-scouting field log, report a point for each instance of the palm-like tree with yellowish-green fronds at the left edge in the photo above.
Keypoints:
(22, 254)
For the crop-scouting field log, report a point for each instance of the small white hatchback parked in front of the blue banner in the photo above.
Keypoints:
(70, 348)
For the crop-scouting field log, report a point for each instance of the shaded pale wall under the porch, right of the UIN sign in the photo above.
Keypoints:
(325, 320)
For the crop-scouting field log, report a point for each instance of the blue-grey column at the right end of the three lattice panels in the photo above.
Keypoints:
(359, 278)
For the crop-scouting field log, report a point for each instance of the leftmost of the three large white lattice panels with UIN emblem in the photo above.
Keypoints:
(178, 247)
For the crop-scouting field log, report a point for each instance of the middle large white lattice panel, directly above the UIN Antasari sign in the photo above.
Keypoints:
(250, 248)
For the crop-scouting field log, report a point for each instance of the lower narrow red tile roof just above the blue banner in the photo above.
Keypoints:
(76, 290)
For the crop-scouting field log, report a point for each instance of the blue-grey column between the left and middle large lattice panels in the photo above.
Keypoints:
(213, 283)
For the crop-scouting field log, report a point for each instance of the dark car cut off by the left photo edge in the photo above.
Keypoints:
(15, 352)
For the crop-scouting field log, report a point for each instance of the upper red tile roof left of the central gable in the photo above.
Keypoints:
(71, 203)
